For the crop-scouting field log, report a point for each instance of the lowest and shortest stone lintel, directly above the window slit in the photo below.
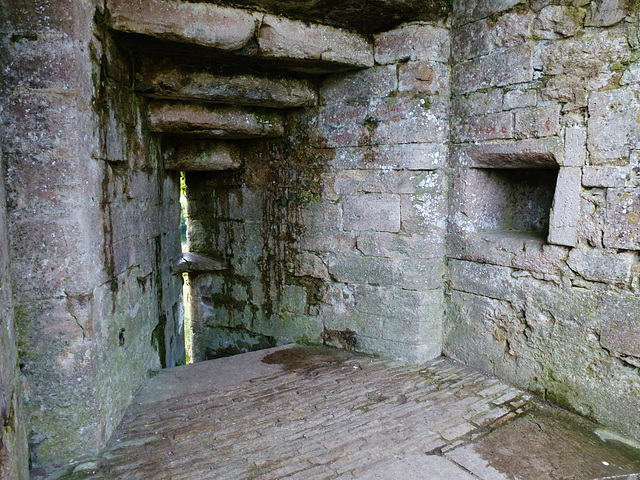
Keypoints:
(202, 156)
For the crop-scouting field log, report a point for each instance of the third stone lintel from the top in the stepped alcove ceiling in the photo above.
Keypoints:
(214, 121)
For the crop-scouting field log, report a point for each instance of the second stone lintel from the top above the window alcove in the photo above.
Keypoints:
(170, 81)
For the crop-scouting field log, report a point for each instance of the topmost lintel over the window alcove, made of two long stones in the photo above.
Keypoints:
(302, 45)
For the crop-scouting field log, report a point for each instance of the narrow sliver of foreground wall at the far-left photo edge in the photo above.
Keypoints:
(13, 440)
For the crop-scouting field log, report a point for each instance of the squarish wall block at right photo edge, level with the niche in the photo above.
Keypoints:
(622, 227)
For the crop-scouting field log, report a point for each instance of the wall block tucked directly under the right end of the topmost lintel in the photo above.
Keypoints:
(374, 82)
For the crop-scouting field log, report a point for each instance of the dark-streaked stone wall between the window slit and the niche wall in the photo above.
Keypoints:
(334, 233)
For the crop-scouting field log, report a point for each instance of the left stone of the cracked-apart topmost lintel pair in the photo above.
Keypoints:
(197, 23)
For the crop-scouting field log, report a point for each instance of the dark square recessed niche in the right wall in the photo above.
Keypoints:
(514, 199)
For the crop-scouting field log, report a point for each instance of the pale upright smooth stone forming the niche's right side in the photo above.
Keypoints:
(565, 212)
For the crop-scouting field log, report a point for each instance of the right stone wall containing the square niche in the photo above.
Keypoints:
(545, 112)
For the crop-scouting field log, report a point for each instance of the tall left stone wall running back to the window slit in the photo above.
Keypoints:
(93, 226)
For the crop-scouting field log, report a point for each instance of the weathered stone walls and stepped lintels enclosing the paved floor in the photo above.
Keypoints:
(410, 178)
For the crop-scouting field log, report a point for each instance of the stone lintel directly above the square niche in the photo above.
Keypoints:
(529, 153)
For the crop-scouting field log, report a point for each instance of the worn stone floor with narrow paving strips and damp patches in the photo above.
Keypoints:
(314, 413)
